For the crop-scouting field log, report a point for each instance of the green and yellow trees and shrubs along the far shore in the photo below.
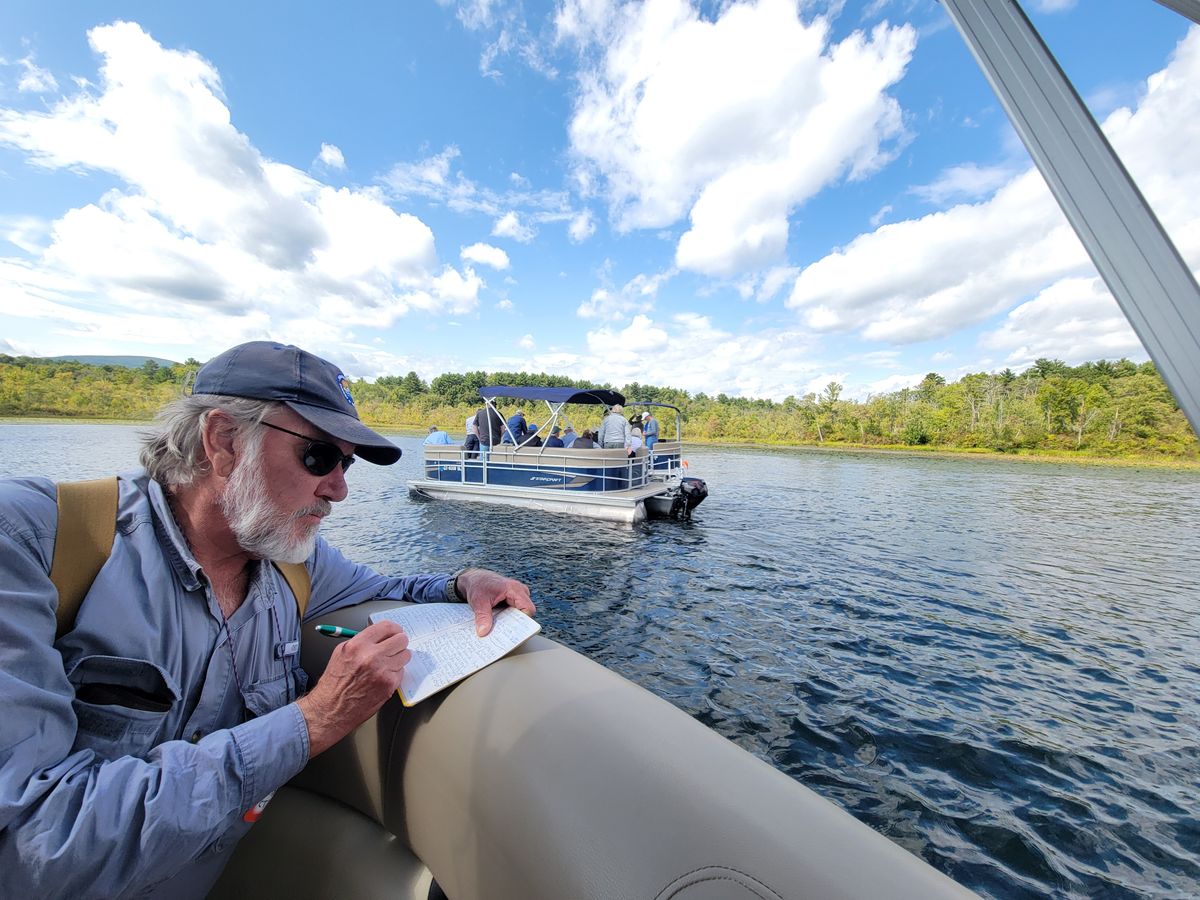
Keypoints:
(1099, 413)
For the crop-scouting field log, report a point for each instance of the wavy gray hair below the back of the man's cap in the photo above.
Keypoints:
(173, 452)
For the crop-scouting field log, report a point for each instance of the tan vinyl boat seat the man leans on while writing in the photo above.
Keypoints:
(547, 777)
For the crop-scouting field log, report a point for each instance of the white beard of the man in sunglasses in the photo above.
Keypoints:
(261, 527)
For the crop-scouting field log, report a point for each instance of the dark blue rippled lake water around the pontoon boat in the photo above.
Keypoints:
(994, 664)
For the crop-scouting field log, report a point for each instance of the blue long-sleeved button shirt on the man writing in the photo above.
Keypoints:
(98, 797)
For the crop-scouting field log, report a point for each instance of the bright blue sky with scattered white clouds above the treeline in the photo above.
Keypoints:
(752, 199)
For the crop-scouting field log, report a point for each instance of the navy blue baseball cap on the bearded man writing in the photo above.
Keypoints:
(311, 387)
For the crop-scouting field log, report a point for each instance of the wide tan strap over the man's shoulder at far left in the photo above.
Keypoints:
(85, 539)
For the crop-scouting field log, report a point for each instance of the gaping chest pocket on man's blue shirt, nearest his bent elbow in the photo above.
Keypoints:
(122, 705)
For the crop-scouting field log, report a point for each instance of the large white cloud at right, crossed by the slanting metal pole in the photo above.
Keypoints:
(932, 277)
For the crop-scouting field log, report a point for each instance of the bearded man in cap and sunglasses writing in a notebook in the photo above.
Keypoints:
(136, 748)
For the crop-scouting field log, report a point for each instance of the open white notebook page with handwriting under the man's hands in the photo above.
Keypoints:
(446, 647)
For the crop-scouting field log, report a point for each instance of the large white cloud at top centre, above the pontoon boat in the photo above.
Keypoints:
(733, 122)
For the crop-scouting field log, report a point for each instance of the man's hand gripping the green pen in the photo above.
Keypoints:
(362, 675)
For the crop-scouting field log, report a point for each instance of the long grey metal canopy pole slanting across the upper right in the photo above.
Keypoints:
(1143, 269)
